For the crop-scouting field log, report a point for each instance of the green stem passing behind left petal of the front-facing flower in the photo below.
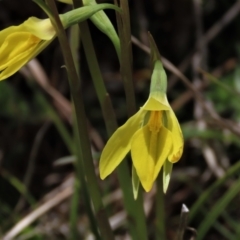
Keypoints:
(135, 211)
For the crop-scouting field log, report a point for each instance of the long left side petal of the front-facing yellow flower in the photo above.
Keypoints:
(119, 144)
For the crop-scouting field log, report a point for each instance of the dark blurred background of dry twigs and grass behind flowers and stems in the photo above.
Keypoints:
(201, 38)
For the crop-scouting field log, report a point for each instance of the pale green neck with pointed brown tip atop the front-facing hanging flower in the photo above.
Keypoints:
(159, 77)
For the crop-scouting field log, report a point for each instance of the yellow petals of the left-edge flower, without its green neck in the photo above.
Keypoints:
(19, 44)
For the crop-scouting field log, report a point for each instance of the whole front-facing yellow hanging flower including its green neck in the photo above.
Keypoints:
(152, 135)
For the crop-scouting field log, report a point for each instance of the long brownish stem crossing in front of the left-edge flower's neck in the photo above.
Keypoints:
(93, 187)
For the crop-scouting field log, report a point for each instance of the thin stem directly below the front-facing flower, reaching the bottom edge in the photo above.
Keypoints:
(160, 209)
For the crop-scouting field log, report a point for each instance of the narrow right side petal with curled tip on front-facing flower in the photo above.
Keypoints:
(173, 126)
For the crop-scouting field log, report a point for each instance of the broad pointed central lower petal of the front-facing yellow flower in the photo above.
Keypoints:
(149, 150)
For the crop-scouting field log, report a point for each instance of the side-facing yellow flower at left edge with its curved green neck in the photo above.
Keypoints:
(19, 44)
